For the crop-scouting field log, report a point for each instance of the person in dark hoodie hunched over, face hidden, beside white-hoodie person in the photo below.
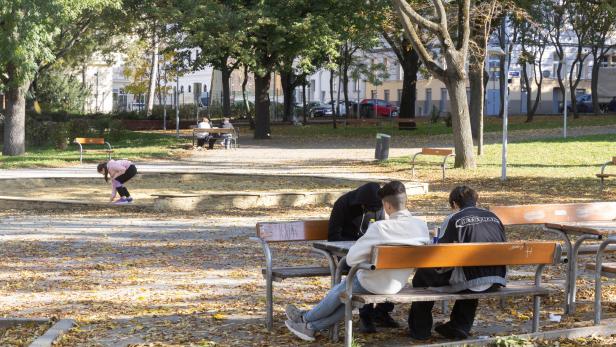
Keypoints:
(349, 220)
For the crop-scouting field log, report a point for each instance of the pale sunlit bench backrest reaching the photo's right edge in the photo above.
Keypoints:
(547, 213)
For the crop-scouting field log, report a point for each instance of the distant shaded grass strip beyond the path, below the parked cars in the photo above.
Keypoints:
(425, 128)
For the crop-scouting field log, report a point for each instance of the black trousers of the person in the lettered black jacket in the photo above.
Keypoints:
(420, 316)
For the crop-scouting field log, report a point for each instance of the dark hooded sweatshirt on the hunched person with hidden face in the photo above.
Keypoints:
(353, 211)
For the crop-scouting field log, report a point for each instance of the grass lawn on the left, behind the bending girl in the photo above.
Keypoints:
(133, 145)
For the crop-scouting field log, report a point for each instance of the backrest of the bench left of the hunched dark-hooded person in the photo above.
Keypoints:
(309, 230)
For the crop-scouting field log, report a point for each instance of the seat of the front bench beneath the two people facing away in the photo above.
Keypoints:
(409, 295)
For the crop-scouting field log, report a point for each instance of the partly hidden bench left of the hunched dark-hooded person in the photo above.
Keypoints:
(291, 232)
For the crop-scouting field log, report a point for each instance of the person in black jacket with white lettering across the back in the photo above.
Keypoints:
(468, 224)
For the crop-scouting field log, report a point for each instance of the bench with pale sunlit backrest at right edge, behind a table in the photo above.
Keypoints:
(539, 214)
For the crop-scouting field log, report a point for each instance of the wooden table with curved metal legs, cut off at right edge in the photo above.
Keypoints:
(605, 231)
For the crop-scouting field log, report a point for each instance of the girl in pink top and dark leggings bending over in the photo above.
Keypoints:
(120, 171)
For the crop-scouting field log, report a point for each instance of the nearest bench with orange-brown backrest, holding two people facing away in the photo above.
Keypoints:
(454, 255)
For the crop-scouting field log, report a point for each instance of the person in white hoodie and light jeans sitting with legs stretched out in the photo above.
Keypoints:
(400, 228)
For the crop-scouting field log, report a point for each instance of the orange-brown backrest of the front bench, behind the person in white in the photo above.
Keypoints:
(466, 254)
